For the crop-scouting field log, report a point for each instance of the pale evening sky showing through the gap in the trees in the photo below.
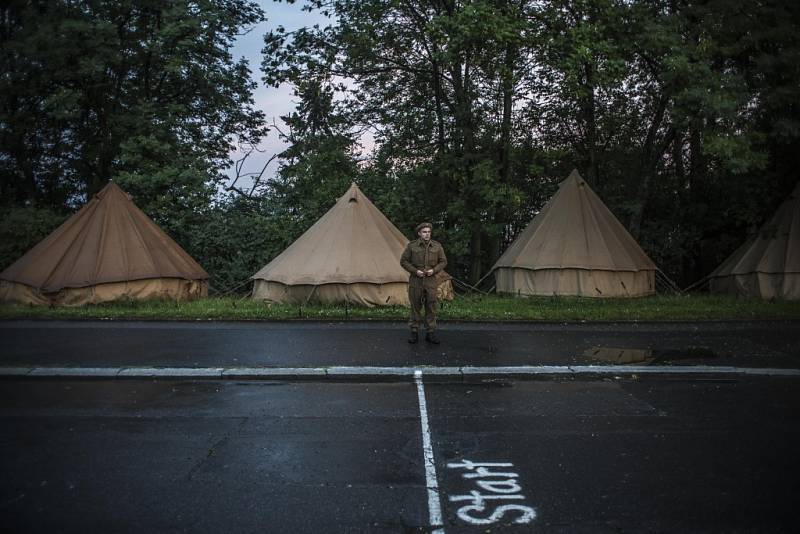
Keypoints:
(273, 102)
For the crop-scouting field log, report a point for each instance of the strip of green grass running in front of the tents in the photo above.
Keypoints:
(472, 308)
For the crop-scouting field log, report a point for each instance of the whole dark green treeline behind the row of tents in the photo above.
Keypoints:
(684, 116)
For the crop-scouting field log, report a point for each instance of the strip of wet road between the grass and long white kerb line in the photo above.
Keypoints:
(309, 344)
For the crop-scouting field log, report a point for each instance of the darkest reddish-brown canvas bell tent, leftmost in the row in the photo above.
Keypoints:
(109, 250)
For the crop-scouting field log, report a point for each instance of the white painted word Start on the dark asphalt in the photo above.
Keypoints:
(487, 505)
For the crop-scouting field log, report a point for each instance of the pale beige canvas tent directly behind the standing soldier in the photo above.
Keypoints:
(351, 254)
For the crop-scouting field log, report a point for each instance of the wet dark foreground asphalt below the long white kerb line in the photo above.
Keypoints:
(656, 454)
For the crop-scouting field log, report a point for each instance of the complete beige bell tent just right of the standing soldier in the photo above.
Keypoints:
(575, 246)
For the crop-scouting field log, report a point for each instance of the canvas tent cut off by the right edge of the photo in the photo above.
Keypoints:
(768, 264)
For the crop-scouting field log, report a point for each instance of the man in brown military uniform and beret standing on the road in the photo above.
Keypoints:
(423, 258)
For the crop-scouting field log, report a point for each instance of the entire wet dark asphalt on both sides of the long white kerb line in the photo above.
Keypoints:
(657, 453)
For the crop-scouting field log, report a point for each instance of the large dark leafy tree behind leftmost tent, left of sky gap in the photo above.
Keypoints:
(141, 91)
